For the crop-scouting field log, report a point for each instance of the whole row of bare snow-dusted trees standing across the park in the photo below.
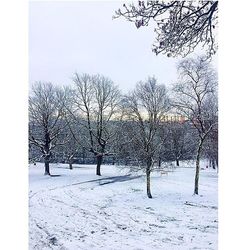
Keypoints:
(93, 122)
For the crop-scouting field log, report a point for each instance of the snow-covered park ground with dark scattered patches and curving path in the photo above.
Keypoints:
(75, 209)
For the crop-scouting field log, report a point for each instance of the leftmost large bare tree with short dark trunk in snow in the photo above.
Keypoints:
(46, 119)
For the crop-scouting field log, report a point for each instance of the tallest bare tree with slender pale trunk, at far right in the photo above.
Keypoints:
(196, 98)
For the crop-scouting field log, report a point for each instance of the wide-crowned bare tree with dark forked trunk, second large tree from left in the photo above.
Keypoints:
(95, 106)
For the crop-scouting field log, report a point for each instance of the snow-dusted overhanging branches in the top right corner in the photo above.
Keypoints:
(181, 25)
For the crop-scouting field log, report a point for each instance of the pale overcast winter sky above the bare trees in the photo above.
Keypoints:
(69, 37)
